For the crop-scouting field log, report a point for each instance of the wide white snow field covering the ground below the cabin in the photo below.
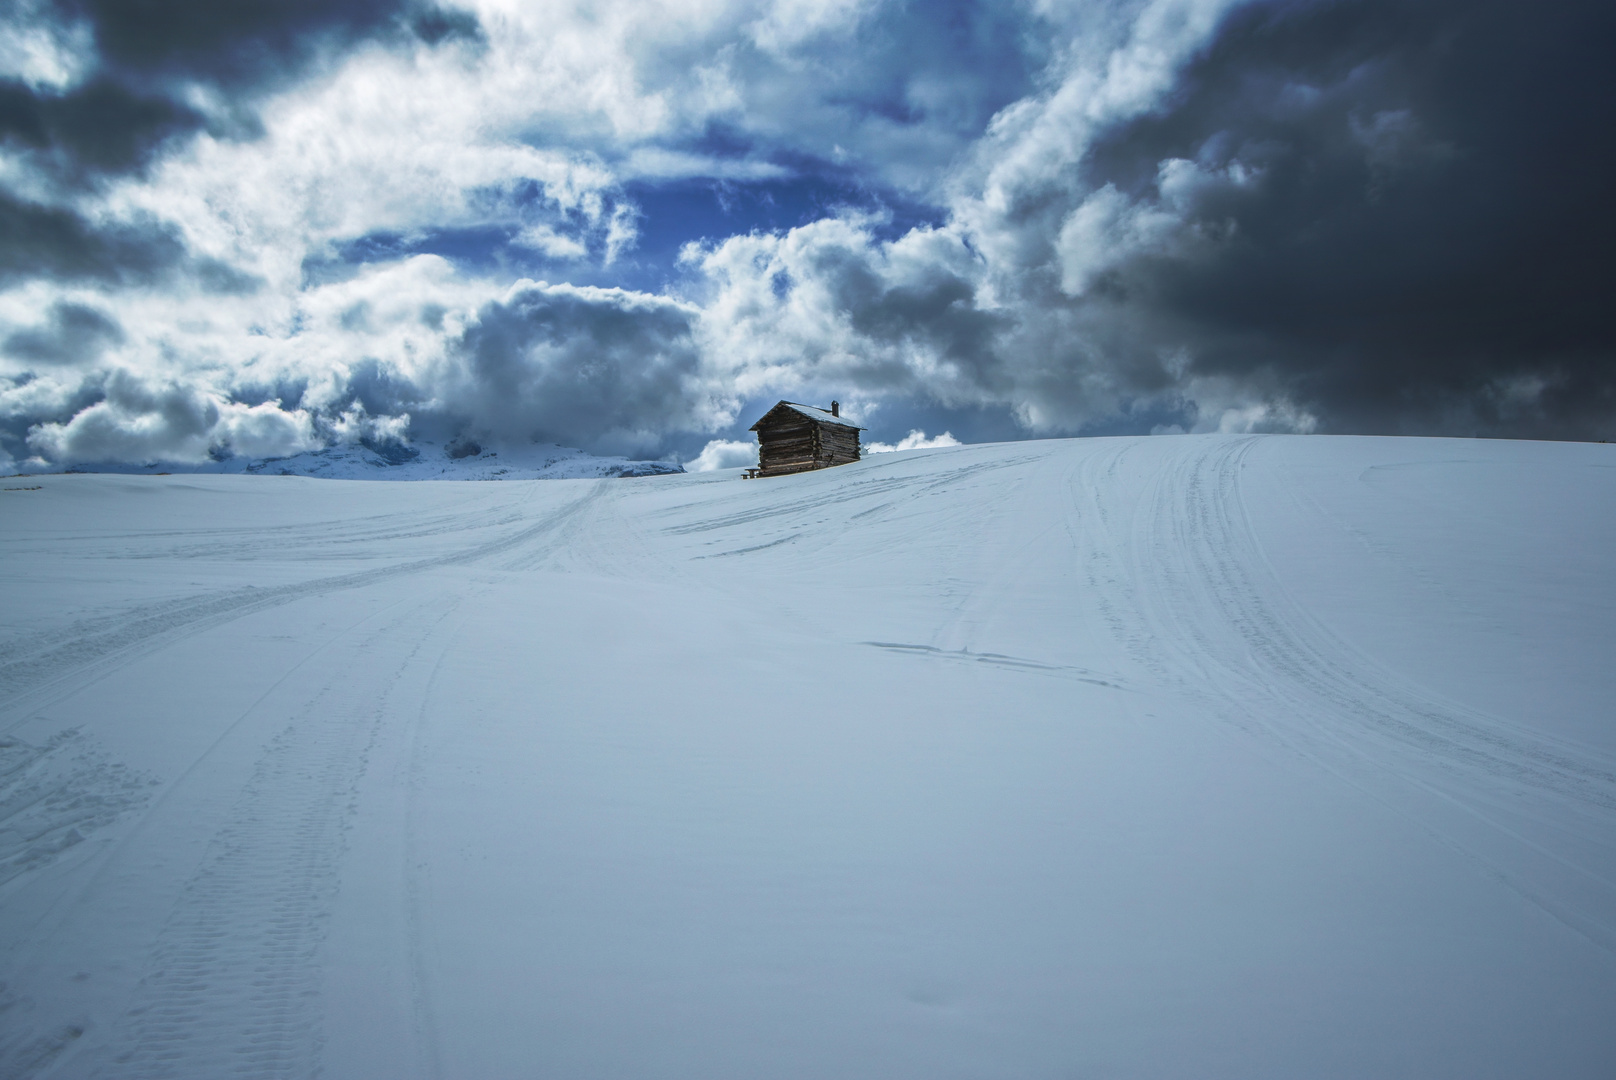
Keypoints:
(1168, 757)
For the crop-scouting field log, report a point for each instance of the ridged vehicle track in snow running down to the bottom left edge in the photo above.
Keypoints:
(235, 982)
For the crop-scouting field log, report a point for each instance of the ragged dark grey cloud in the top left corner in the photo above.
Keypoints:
(133, 106)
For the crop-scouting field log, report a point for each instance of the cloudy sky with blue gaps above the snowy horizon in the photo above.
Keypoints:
(629, 227)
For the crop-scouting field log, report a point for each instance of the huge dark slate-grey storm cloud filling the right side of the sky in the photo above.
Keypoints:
(1425, 238)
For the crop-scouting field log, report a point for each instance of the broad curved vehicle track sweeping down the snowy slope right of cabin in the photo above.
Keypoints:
(1214, 609)
